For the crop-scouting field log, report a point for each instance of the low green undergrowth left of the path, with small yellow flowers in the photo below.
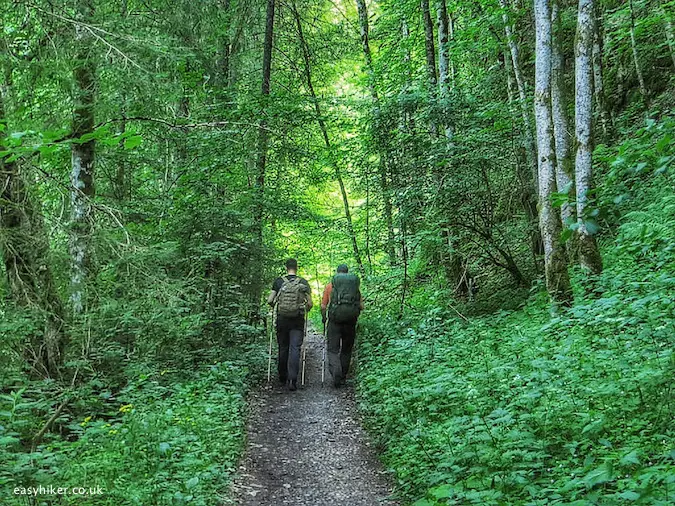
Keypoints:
(167, 438)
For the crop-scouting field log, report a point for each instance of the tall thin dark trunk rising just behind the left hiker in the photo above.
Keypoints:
(261, 161)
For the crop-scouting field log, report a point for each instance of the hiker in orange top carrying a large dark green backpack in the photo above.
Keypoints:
(340, 306)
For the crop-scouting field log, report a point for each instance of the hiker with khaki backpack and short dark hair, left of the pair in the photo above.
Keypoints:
(292, 297)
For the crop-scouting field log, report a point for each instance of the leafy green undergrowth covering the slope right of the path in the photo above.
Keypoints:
(521, 408)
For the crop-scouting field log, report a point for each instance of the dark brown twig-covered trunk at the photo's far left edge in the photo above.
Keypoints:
(24, 246)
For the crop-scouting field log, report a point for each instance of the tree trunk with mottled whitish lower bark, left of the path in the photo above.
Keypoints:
(82, 155)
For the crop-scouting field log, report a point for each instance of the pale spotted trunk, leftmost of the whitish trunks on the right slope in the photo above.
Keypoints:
(555, 258)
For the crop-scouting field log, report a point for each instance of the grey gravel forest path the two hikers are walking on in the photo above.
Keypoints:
(306, 448)
